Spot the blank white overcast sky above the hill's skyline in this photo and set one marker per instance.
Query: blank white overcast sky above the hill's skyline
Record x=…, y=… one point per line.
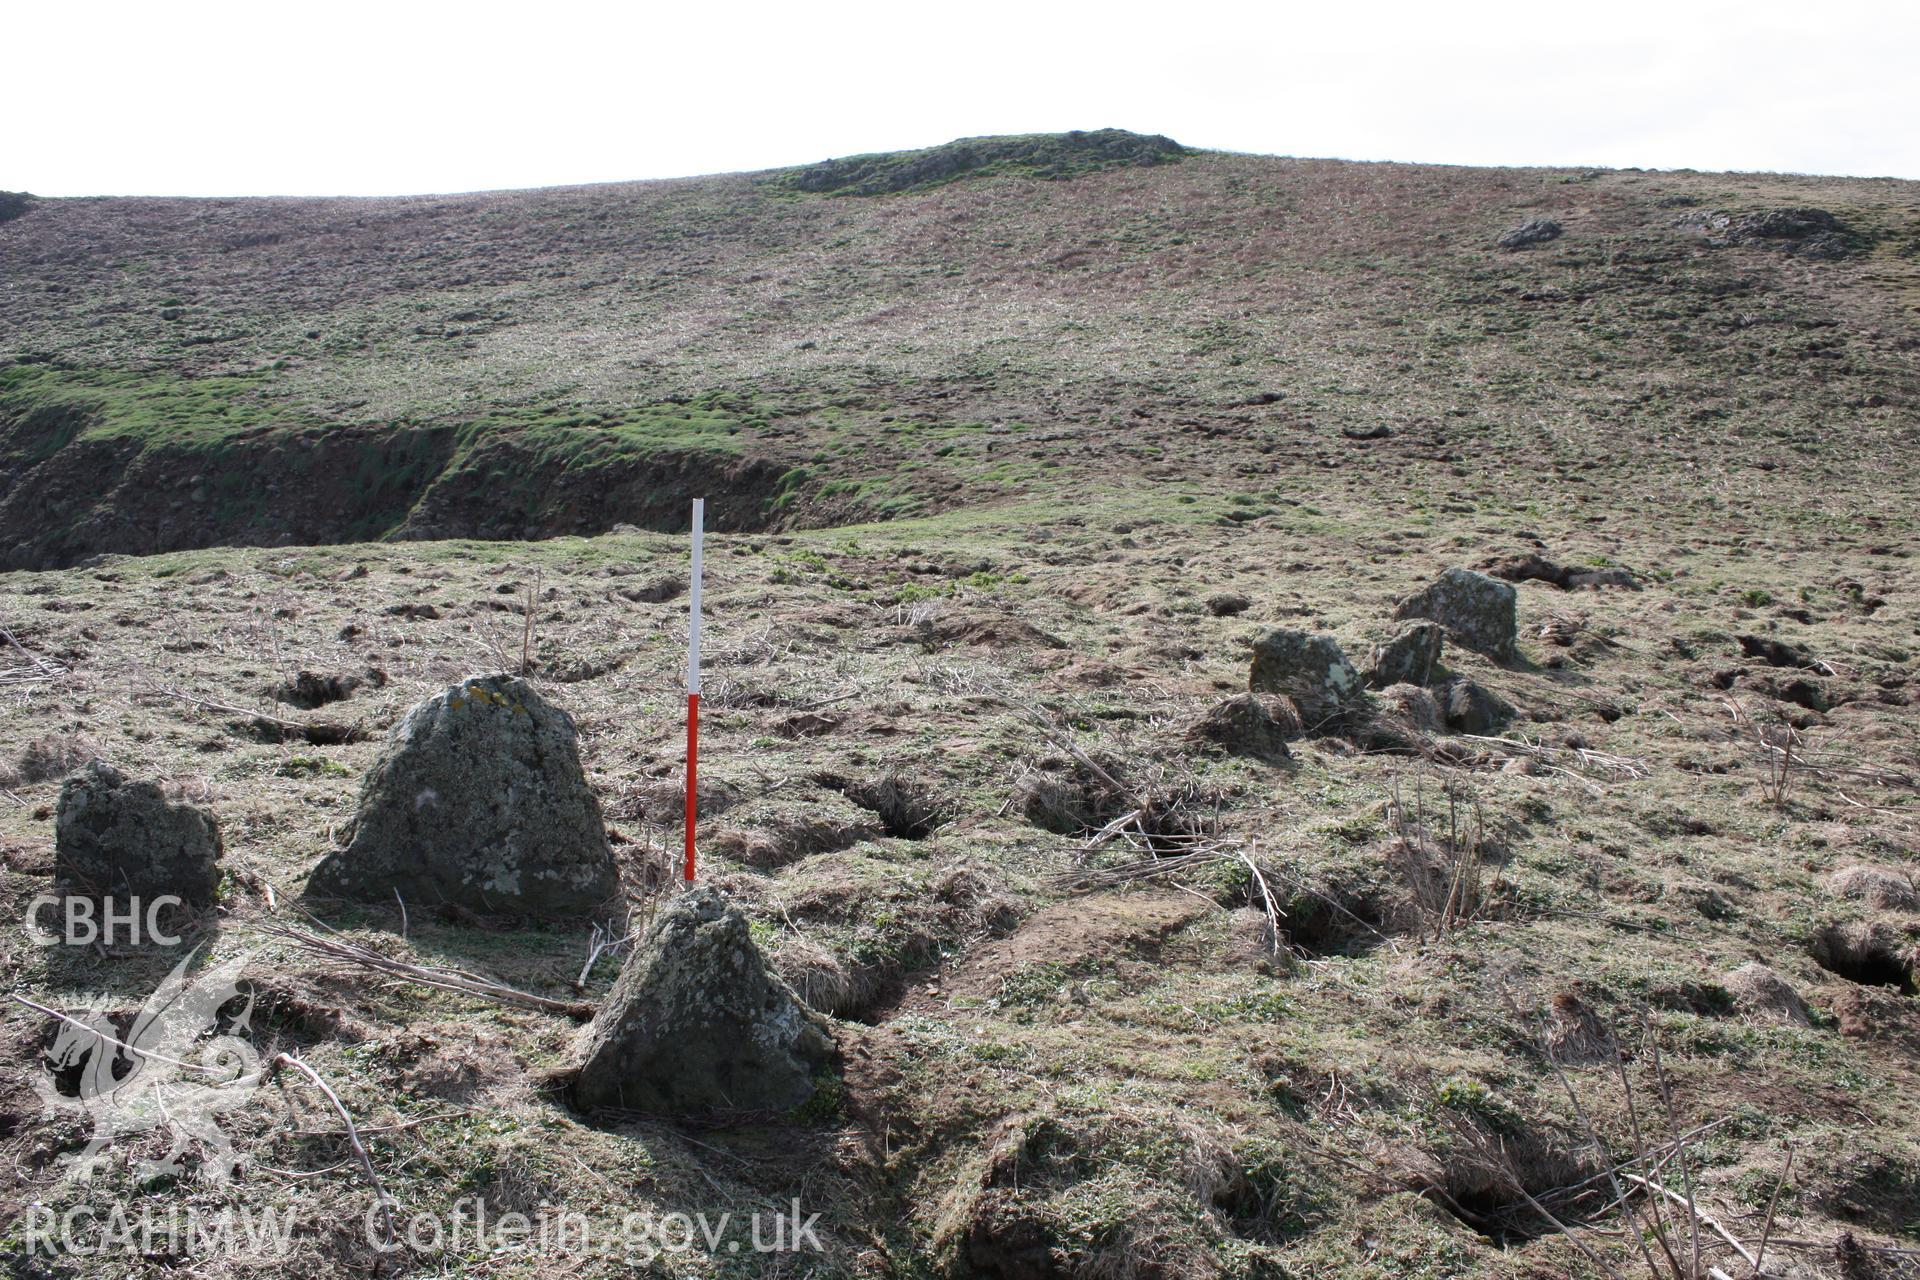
x=218, y=99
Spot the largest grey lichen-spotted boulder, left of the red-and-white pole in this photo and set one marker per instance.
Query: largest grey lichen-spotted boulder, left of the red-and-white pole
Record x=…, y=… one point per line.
x=479, y=801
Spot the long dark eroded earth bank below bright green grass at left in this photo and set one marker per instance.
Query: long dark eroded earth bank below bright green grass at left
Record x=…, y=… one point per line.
x=66, y=502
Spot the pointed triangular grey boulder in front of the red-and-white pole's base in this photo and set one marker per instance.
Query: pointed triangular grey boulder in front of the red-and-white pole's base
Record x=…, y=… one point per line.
x=700, y=1024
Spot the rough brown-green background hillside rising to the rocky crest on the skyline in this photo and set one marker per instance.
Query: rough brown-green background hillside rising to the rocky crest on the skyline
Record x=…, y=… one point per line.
x=1001, y=325
